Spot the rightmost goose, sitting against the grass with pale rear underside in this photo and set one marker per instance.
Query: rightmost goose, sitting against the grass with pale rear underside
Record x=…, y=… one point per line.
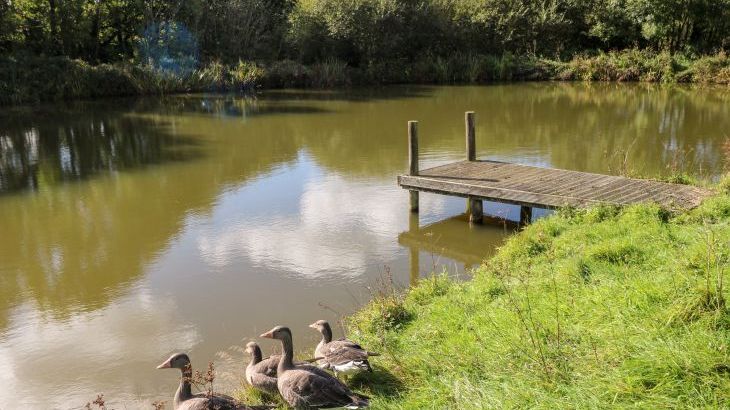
x=341, y=356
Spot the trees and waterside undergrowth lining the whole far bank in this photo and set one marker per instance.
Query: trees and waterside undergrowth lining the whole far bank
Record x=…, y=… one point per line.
x=52, y=49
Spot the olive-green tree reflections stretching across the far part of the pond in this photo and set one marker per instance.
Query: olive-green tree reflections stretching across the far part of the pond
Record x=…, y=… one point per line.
x=78, y=246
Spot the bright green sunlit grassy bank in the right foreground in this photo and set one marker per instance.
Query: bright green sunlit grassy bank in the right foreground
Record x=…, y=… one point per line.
x=585, y=309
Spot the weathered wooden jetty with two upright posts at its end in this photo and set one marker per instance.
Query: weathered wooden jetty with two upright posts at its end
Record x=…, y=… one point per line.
x=529, y=186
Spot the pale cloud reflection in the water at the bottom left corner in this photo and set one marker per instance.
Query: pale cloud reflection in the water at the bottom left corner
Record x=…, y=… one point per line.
x=91, y=353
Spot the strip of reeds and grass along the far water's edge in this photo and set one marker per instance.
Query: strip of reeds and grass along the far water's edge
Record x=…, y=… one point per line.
x=35, y=79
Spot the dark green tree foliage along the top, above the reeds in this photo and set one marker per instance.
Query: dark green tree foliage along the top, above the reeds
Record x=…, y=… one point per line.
x=357, y=32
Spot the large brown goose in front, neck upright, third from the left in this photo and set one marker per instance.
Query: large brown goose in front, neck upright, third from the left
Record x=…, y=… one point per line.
x=306, y=387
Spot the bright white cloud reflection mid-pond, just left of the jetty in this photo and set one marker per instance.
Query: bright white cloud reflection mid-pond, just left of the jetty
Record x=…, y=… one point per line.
x=342, y=227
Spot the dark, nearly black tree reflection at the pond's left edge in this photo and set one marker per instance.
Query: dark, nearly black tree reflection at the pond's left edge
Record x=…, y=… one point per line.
x=58, y=149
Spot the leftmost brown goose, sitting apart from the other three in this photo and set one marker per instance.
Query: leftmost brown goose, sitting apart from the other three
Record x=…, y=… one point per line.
x=184, y=398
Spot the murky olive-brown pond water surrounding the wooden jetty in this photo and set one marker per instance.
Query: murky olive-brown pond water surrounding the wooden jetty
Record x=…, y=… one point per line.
x=133, y=228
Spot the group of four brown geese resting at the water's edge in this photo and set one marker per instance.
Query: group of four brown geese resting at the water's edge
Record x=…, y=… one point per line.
x=302, y=385
